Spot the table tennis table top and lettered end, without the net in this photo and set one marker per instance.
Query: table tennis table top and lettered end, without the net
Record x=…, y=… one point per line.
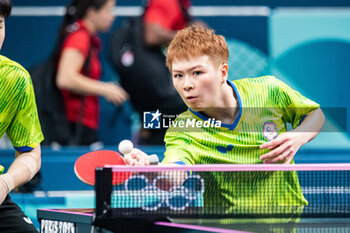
x=80, y=221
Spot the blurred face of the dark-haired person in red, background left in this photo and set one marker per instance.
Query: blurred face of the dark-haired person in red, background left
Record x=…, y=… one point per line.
x=104, y=16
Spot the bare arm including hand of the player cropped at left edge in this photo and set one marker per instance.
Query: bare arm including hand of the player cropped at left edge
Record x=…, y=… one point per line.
x=22, y=170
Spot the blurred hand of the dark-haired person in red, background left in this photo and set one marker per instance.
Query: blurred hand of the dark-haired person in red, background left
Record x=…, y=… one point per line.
x=115, y=94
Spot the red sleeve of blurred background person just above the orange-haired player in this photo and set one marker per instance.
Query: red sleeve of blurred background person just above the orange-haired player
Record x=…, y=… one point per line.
x=163, y=13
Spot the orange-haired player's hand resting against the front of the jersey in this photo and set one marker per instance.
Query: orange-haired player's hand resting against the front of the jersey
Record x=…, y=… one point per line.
x=283, y=148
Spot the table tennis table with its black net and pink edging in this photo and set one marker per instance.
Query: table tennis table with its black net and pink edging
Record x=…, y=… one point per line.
x=181, y=208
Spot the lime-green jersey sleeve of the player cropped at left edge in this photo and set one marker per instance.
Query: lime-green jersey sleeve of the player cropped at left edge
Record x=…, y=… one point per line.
x=24, y=129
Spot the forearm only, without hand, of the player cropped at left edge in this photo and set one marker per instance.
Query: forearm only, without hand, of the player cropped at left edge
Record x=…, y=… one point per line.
x=25, y=166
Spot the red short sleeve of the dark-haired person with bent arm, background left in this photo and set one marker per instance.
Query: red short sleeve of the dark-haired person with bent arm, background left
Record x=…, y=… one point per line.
x=79, y=40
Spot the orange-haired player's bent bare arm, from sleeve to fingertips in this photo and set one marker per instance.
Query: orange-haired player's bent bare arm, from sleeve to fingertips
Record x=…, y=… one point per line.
x=286, y=145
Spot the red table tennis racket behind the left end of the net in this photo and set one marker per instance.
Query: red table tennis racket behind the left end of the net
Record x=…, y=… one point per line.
x=86, y=164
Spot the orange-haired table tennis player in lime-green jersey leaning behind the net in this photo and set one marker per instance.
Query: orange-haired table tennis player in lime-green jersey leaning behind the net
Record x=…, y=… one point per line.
x=253, y=113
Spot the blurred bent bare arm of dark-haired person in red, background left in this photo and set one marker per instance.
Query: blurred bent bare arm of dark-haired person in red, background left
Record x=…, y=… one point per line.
x=70, y=78
